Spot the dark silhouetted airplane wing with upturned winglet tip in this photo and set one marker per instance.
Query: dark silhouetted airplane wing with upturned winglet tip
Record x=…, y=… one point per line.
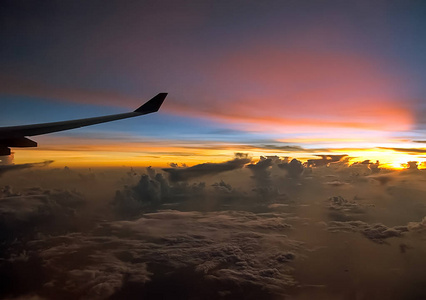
x=15, y=136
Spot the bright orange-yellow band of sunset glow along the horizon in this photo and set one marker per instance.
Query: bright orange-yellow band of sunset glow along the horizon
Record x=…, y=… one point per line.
x=144, y=155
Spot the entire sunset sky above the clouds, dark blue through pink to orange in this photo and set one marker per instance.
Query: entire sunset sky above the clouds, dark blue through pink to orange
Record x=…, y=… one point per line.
x=291, y=78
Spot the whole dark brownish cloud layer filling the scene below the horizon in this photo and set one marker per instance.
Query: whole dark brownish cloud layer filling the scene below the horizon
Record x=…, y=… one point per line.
x=256, y=230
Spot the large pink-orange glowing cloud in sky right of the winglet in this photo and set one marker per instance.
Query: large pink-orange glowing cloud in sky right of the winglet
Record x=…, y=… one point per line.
x=294, y=87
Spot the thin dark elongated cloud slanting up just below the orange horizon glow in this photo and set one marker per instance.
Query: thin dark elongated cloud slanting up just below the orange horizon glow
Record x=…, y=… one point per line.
x=183, y=174
